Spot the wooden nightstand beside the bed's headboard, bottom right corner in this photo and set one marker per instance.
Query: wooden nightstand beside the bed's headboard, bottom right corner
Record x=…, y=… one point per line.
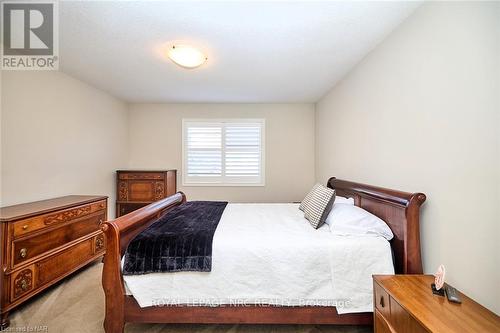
x=405, y=303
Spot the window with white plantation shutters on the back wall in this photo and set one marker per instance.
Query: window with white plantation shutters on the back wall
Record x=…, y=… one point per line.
x=223, y=152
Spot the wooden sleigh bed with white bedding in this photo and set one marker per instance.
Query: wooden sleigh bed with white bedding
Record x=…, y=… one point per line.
x=257, y=298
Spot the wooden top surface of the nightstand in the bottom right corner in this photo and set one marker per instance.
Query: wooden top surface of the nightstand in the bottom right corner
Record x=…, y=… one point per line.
x=436, y=313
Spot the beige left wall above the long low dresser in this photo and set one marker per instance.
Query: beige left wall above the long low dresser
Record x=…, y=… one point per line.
x=59, y=136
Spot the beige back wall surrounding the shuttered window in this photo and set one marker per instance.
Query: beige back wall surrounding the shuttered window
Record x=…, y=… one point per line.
x=155, y=135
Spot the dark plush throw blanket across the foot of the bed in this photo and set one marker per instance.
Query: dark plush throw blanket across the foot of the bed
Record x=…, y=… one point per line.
x=181, y=240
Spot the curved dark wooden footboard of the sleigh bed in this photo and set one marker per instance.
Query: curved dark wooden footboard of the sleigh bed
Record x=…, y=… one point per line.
x=119, y=233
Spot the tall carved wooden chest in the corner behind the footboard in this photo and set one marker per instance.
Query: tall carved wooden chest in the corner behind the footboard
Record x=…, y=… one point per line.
x=138, y=188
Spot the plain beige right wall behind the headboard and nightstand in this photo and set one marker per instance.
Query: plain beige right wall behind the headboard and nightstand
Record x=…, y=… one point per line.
x=421, y=113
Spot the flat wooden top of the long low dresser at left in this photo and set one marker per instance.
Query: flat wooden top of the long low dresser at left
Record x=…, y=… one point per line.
x=17, y=212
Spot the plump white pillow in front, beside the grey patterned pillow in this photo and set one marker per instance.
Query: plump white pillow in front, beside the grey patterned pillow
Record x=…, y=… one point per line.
x=350, y=220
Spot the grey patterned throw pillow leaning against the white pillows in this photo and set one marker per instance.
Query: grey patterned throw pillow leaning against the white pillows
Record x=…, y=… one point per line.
x=319, y=205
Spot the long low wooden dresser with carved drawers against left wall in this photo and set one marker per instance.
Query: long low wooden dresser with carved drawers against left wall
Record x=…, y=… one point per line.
x=44, y=241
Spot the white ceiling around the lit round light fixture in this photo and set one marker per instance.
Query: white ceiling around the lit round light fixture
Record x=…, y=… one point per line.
x=257, y=51
